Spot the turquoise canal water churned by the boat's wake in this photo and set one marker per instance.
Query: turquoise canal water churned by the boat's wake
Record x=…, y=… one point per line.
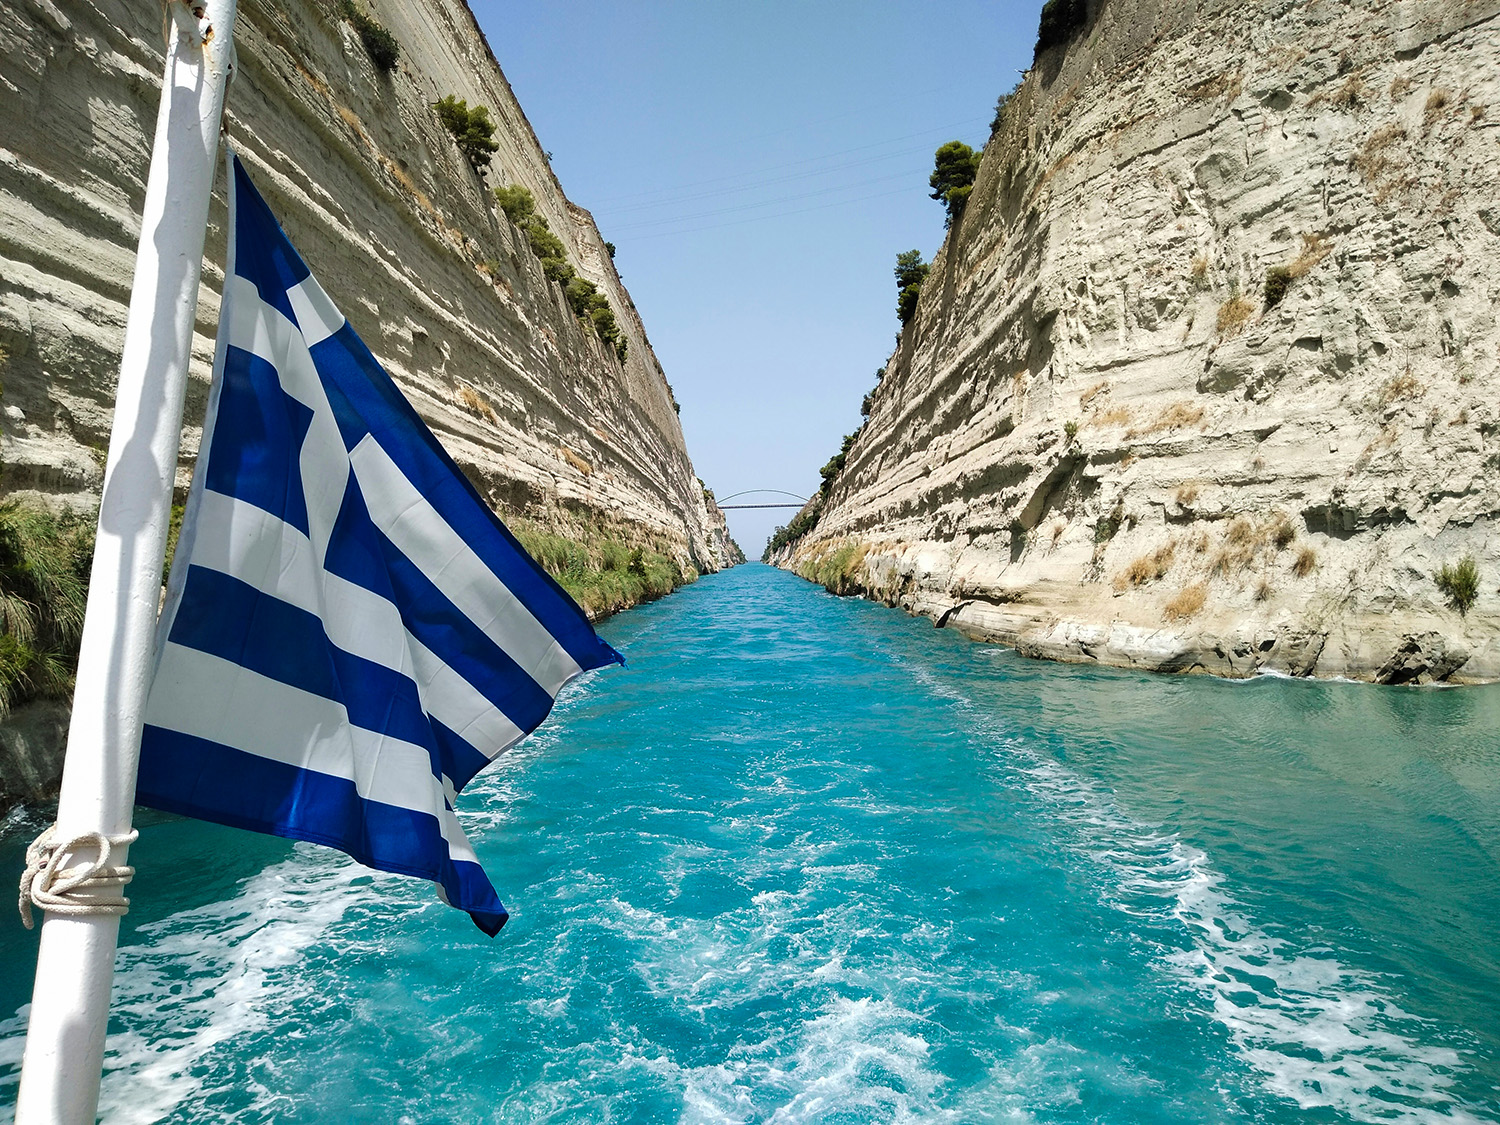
x=809, y=860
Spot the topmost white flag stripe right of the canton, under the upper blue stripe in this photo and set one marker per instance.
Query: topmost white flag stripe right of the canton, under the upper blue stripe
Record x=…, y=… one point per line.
x=451, y=565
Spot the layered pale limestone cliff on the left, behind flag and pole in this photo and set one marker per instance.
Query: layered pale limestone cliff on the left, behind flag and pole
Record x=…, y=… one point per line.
x=544, y=416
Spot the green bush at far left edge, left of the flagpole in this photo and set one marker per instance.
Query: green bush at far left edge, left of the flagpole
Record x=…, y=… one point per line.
x=44, y=584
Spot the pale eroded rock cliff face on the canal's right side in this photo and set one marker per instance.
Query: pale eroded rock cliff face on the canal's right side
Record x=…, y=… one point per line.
x=1208, y=377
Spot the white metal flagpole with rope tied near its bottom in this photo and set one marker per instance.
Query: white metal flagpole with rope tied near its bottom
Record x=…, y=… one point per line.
x=76, y=961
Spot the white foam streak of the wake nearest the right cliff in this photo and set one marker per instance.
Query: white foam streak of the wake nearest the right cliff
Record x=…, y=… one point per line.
x=1321, y=1034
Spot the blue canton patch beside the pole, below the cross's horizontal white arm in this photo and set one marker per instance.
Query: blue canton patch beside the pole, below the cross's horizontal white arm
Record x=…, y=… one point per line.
x=257, y=439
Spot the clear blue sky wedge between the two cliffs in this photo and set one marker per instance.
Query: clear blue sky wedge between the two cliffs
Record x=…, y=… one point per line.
x=760, y=166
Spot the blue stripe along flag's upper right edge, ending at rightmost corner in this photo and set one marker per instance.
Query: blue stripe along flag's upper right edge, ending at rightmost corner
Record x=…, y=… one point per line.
x=365, y=400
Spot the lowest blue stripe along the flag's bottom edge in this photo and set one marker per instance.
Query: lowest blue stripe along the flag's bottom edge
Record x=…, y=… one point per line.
x=196, y=778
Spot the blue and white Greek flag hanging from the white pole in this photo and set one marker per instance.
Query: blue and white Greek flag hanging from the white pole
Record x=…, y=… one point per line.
x=350, y=634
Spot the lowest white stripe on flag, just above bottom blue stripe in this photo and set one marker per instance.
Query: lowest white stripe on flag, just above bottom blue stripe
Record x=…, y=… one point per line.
x=224, y=703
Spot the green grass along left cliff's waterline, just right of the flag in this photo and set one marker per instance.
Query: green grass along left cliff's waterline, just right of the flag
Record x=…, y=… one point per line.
x=604, y=574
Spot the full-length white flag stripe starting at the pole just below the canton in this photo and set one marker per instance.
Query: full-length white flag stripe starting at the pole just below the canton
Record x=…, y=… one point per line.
x=257, y=548
